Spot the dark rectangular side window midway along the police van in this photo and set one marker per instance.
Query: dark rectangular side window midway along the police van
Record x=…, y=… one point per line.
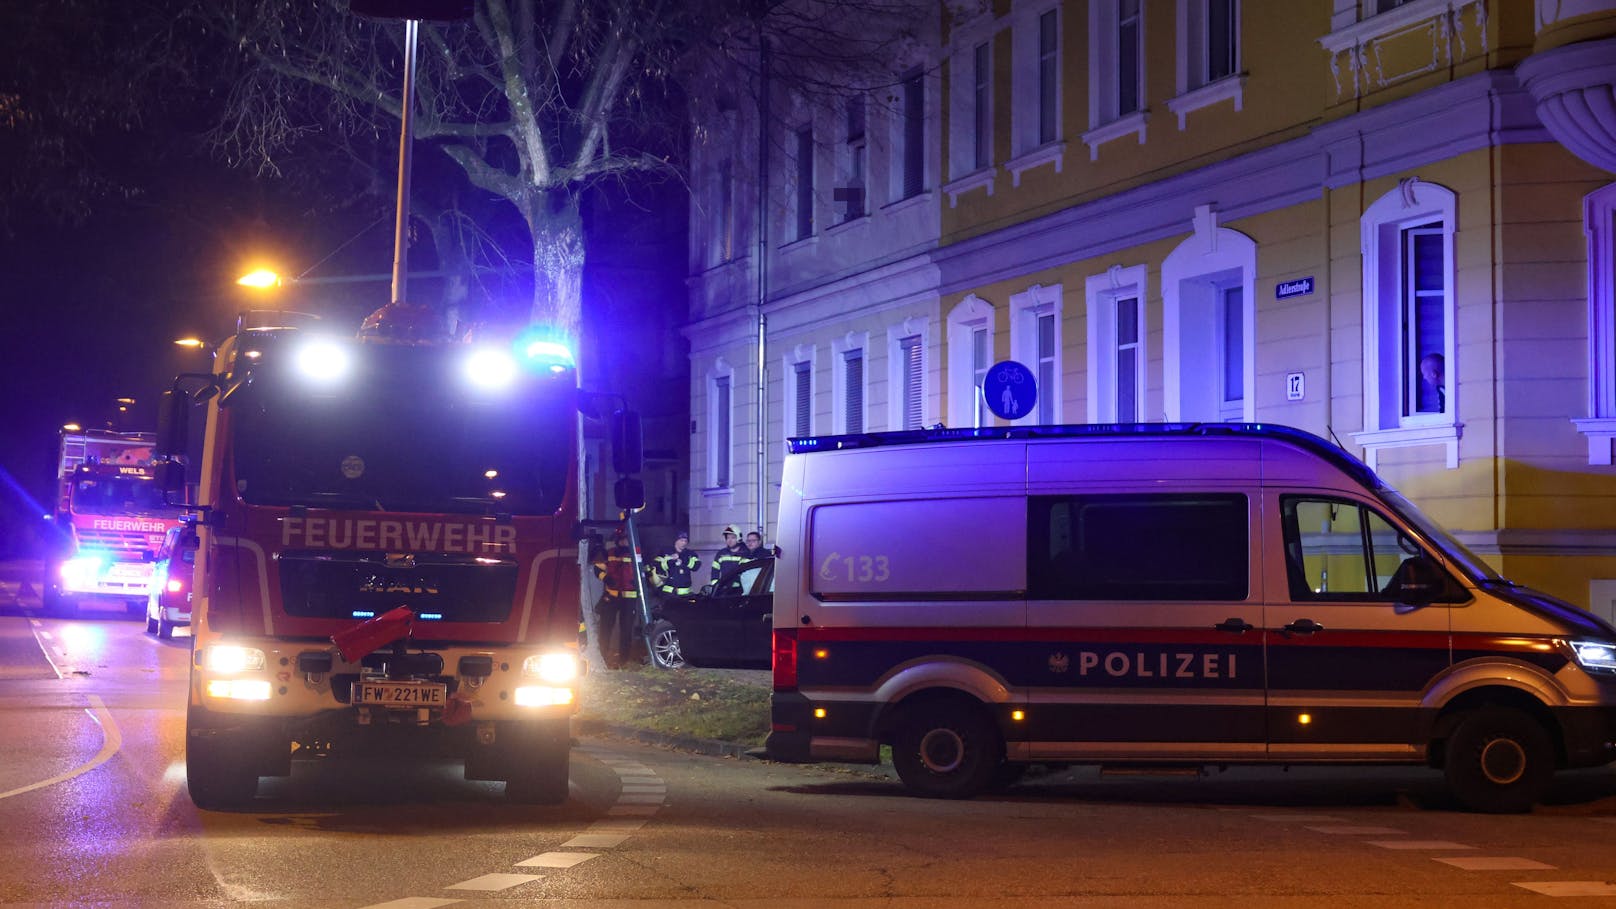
x=1138, y=548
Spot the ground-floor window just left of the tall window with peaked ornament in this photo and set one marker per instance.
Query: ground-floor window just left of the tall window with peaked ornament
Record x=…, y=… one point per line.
x=1117, y=358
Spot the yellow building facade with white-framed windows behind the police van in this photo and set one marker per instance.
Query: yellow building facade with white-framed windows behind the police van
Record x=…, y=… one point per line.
x=1384, y=222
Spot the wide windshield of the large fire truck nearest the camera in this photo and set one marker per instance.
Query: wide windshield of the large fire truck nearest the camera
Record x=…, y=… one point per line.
x=408, y=439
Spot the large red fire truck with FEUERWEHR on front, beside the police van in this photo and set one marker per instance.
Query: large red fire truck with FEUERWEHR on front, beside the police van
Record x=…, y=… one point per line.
x=389, y=554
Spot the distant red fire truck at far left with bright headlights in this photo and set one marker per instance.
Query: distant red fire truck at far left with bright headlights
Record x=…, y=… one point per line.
x=111, y=520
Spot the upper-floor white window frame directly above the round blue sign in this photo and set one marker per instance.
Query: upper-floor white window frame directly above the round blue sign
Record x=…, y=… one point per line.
x=1027, y=148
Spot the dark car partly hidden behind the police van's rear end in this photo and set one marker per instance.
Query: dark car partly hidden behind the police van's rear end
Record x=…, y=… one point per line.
x=730, y=624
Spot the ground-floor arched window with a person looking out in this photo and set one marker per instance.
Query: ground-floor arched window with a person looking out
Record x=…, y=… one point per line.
x=1410, y=368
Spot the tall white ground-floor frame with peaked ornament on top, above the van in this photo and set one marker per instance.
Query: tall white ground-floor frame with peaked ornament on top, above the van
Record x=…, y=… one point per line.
x=1195, y=273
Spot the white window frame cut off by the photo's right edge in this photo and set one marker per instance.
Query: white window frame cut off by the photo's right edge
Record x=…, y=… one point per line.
x=1599, y=224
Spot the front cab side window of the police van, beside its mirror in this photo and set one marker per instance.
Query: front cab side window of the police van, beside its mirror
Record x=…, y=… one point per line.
x=1340, y=551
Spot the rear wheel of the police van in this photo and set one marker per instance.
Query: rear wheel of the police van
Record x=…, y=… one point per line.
x=946, y=750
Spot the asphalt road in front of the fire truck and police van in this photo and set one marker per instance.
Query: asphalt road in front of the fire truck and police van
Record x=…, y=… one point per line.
x=93, y=813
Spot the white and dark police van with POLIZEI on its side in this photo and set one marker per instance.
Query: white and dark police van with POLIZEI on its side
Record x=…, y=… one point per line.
x=1158, y=596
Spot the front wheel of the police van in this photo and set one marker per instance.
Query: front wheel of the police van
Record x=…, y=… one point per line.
x=1499, y=761
